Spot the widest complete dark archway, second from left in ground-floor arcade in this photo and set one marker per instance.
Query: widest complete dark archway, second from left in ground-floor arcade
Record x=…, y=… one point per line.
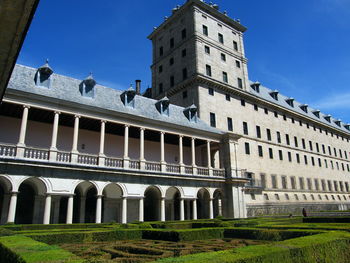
x=31, y=200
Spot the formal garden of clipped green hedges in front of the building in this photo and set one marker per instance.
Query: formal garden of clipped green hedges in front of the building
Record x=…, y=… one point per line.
x=282, y=239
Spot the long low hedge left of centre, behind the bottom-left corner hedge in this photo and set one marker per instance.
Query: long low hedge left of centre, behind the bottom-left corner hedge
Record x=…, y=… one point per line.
x=83, y=237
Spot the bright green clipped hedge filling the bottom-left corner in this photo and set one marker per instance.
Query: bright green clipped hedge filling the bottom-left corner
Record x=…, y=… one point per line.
x=21, y=249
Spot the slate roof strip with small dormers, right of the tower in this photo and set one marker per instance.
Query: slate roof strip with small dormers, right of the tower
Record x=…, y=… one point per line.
x=265, y=94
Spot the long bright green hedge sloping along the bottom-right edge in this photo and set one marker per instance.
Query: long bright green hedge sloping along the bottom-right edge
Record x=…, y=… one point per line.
x=331, y=247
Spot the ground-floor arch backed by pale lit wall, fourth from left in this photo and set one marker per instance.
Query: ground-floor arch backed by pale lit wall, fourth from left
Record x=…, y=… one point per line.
x=112, y=202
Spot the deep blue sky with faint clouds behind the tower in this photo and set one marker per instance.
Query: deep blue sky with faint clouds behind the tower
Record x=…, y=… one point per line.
x=300, y=47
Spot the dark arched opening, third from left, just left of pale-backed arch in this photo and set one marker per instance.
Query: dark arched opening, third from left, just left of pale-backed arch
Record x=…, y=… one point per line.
x=84, y=206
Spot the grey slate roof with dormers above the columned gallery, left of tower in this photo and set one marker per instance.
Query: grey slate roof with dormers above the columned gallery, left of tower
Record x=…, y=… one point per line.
x=67, y=89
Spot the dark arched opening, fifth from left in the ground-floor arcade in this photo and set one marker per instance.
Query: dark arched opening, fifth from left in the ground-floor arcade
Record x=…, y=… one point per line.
x=153, y=195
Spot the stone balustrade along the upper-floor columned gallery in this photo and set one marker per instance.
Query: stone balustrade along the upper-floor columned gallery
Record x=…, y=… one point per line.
x=30, y=153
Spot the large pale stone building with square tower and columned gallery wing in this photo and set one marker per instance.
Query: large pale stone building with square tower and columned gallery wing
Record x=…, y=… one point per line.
x=208, y=142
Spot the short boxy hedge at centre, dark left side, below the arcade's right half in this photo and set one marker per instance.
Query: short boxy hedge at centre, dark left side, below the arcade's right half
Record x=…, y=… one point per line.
x=183, y=235
